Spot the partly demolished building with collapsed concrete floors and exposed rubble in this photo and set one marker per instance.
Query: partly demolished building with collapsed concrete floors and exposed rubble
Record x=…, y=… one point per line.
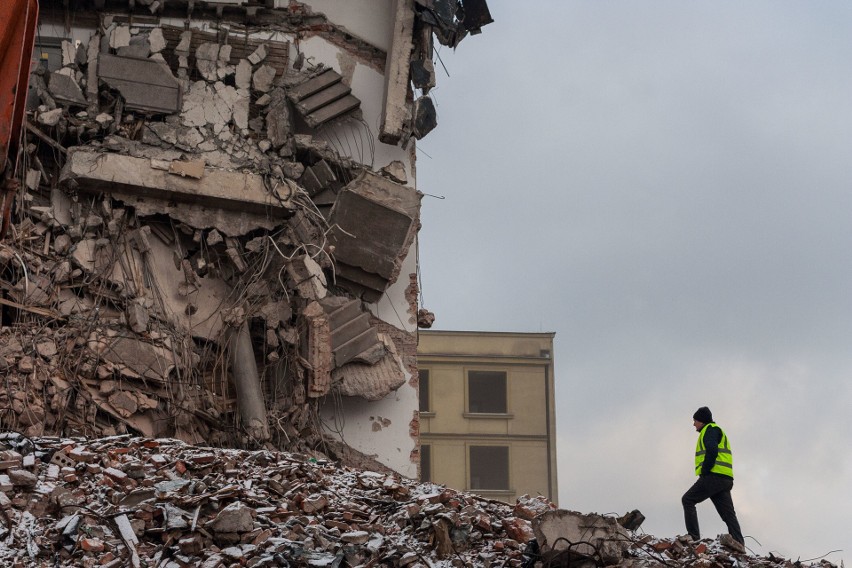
x=214, y=237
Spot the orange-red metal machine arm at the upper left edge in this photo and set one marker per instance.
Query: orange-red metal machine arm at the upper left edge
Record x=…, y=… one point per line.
x=18, y=21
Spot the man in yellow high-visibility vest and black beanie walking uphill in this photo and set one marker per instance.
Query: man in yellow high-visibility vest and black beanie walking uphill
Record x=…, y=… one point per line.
x=714, y=466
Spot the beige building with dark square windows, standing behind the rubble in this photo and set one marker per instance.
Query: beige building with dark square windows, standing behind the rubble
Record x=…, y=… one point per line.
x=487, y=413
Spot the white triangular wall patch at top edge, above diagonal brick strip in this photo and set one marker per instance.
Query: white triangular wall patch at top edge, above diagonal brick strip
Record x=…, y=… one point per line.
x=369, y=20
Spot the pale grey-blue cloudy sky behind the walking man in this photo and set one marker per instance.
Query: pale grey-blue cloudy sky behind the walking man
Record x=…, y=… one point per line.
x=667, y=186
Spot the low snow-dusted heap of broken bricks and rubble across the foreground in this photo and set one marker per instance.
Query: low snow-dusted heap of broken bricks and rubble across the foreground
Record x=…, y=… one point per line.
x=124, y=501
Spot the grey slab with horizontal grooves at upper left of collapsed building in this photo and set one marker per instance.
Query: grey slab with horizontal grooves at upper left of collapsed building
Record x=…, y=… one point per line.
x=145, y=84
